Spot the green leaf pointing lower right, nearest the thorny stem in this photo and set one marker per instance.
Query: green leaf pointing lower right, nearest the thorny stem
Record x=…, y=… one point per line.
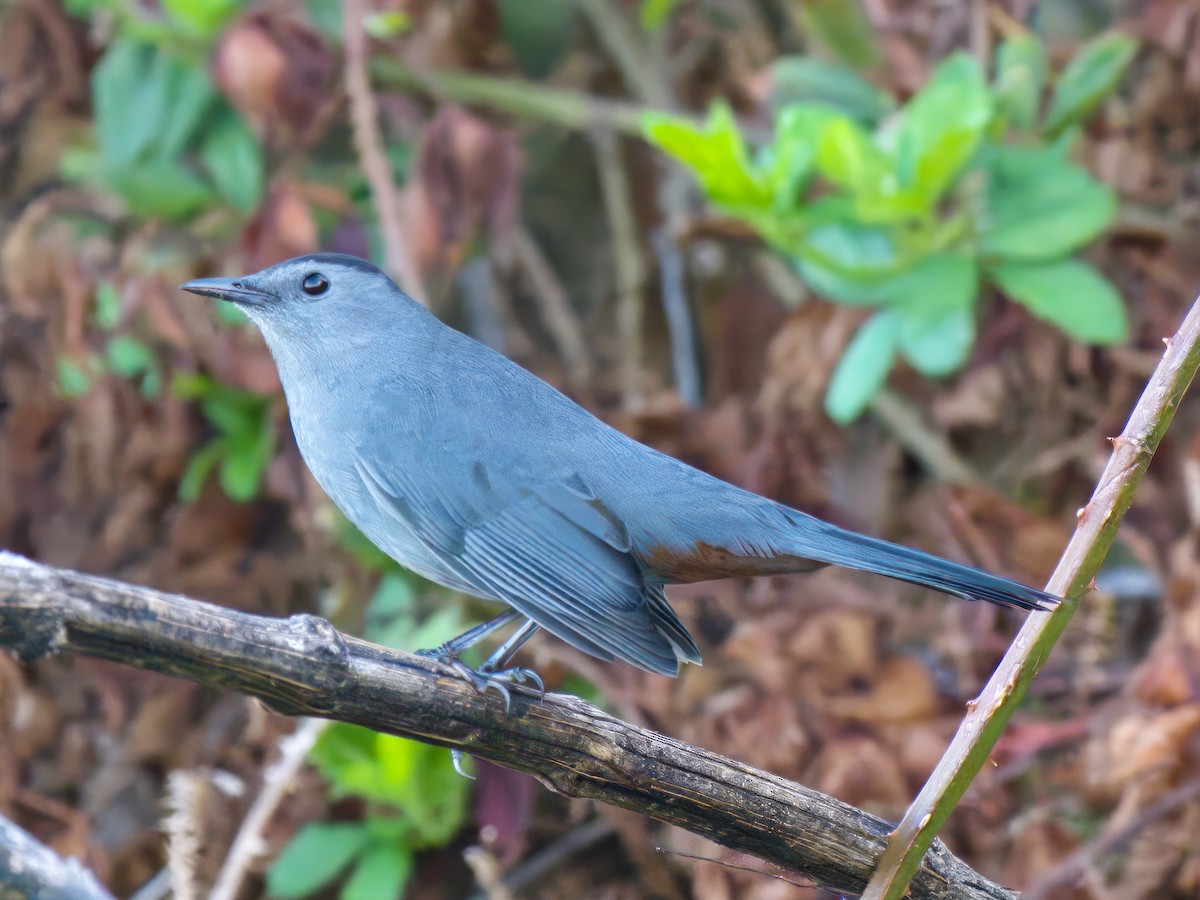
x=1070, y=295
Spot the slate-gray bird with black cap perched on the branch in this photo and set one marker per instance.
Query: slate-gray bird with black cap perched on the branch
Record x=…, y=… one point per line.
x=472, y=472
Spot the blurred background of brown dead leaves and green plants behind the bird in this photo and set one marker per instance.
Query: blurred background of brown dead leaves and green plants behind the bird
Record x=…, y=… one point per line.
x=902, y=263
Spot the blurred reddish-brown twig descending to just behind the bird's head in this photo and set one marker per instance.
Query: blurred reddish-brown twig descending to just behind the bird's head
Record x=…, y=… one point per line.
x=369, y=140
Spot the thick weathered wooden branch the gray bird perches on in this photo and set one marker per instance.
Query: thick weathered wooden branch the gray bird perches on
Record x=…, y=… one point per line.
x=303, y=667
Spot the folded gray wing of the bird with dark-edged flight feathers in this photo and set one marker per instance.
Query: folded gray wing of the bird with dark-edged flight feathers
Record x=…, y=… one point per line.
x=555, y=555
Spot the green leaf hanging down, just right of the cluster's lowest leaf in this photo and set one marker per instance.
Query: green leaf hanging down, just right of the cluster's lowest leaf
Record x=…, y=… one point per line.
x=935, y=303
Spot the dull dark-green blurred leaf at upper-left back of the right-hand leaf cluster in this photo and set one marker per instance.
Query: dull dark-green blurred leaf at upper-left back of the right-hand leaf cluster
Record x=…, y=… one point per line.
x=812, y=81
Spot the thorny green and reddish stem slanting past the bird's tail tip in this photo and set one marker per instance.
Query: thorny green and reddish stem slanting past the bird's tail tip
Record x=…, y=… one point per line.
x=1097, y=527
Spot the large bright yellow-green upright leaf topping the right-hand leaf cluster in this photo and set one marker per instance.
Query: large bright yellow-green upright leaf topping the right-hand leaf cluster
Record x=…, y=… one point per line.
x=940, y=129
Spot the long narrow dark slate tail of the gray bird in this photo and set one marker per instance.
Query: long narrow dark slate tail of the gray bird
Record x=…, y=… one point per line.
x=829, y=544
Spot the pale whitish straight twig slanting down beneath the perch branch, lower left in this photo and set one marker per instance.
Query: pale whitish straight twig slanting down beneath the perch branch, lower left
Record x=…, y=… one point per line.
x=279, y=779
